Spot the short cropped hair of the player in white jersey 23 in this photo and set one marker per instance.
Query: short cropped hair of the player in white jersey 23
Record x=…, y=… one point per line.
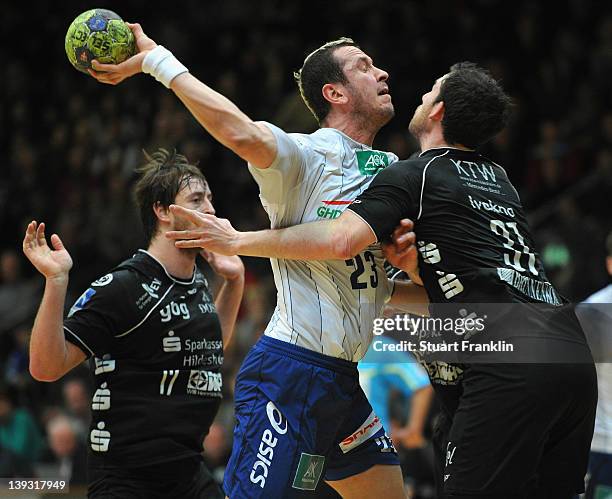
x=321, y=67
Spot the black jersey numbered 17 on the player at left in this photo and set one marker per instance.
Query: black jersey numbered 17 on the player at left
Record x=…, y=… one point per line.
x=156, y=352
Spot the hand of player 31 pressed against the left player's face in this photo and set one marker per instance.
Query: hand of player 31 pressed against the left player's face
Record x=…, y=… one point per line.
x=212, y=233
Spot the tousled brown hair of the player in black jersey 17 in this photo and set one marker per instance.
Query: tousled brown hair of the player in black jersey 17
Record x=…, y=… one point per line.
x=162, y=177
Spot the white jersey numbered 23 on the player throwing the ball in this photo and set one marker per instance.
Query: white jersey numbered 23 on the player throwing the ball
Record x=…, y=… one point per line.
x=325, y=306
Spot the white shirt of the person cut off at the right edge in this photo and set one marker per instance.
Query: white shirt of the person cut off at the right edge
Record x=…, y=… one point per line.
x=602, y=436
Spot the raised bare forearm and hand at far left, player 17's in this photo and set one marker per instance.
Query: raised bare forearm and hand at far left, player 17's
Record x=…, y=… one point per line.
x=51, y=356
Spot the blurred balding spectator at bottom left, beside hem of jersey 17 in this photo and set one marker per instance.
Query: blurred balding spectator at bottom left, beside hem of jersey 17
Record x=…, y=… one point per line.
x=69, y=450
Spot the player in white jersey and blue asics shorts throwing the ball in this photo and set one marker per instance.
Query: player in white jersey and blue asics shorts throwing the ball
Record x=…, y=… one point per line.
x=301, y=414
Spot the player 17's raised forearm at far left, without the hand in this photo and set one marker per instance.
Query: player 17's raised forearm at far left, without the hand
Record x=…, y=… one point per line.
x=47, y=344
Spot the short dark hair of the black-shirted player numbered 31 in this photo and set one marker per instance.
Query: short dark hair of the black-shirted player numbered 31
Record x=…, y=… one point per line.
x=476, y=107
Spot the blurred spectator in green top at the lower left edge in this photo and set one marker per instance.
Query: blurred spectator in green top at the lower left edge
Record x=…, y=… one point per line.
x=18, y=431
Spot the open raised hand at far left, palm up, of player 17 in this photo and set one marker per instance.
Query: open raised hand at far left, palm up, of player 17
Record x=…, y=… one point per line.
x=52, y=263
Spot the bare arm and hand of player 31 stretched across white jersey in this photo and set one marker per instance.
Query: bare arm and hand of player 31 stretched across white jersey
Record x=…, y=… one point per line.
x=337, y=239
